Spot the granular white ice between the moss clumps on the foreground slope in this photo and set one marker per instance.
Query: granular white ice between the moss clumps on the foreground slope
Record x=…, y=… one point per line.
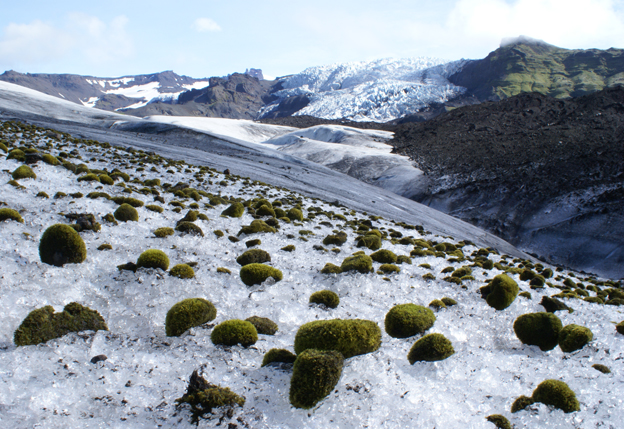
x=55, y=385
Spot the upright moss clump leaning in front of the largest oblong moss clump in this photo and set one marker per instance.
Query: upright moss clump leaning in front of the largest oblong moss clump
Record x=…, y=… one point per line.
x=315, y=374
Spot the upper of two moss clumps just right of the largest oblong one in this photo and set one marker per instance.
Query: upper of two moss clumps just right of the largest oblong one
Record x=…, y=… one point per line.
x=407, y=320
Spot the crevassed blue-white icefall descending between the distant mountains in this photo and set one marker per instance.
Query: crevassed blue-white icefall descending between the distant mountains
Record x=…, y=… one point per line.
x=379, y=90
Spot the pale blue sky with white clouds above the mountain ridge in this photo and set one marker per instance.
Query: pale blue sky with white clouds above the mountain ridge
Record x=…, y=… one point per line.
x=215, y=37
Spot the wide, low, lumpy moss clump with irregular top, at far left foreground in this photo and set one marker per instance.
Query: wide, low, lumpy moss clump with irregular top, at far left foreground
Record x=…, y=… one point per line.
x=43, y=324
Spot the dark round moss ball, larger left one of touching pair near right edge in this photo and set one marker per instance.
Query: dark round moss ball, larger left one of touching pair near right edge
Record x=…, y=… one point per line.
x=538, y=329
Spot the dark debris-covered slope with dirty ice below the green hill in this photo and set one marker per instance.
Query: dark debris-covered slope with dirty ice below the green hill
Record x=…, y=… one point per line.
x=545, y=174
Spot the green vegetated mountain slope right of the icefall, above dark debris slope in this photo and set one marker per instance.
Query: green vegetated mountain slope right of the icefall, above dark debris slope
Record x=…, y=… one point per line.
x=540, y=67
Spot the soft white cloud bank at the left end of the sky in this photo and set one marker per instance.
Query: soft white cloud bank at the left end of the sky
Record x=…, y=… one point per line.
x=82, y=38
